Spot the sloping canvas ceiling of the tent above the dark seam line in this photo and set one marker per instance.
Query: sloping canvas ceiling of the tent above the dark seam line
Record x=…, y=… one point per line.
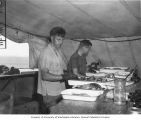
x=80, y=18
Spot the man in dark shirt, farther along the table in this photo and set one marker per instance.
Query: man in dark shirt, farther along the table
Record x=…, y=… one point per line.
x=78, y=64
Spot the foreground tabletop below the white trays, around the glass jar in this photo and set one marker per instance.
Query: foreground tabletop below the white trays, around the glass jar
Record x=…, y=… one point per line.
x=100, y=106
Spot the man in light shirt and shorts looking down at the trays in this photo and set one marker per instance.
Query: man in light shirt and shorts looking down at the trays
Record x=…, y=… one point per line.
x=51, y=66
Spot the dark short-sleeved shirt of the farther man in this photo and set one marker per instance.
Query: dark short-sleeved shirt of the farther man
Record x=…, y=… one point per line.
x=79, y=62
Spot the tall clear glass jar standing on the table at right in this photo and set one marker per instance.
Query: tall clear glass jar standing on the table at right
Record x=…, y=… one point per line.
x=120, y=91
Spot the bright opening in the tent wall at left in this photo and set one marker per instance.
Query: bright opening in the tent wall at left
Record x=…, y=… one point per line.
x=16, y=55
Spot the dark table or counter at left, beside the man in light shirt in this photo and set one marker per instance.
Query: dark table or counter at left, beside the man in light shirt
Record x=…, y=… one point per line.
x=23, y=103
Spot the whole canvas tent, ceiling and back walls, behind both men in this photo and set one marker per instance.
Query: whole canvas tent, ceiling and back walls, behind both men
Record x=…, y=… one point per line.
x=113, y=26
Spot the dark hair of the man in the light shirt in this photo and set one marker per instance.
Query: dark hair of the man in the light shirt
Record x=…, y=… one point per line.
x=58, y=31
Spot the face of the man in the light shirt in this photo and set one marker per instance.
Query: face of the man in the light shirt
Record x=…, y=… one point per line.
x=57, y=41
